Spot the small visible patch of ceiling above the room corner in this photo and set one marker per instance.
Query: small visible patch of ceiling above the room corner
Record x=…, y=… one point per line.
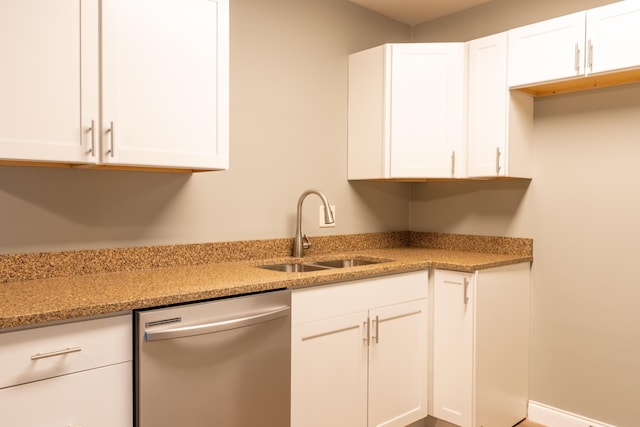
x=414, y=12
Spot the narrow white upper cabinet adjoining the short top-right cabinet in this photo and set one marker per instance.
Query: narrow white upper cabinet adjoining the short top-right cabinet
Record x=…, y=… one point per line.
x=499, y=121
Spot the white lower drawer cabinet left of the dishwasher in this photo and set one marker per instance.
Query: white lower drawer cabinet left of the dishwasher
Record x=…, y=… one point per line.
x=73, y=374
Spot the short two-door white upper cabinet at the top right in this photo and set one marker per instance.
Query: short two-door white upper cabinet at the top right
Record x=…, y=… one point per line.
x=597, y=41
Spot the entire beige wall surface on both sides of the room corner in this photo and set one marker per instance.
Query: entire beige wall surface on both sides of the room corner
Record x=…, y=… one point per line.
x=288, y=133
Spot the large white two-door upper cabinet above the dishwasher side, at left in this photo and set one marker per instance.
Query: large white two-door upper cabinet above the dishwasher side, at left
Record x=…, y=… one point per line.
x=115, y=83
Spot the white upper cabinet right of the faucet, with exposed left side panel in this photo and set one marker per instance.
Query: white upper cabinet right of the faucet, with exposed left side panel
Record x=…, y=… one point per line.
x=406, y=111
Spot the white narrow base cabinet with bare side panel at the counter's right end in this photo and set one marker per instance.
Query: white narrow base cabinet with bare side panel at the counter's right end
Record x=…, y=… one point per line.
x=481, y=346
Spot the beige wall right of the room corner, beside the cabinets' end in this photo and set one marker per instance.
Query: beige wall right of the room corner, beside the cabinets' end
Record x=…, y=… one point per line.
x=582, y=209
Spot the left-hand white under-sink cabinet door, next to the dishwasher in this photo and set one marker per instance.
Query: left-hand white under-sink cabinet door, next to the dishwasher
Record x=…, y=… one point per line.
x=329, y=372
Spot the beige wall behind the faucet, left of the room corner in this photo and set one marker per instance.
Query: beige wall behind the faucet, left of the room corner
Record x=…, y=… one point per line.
x=288, y=133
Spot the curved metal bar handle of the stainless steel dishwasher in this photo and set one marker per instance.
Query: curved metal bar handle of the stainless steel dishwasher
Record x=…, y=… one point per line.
x=224, y=325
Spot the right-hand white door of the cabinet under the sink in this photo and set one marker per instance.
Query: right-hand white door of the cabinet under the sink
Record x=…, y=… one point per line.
x=398, y=364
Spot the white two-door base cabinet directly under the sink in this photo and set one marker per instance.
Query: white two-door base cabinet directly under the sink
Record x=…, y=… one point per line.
x=359, y=353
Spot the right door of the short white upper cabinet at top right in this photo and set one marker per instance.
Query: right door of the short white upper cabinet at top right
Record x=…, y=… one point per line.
x=613, y=37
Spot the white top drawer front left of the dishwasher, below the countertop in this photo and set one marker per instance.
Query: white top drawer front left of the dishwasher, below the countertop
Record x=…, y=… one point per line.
x=39, y=353
